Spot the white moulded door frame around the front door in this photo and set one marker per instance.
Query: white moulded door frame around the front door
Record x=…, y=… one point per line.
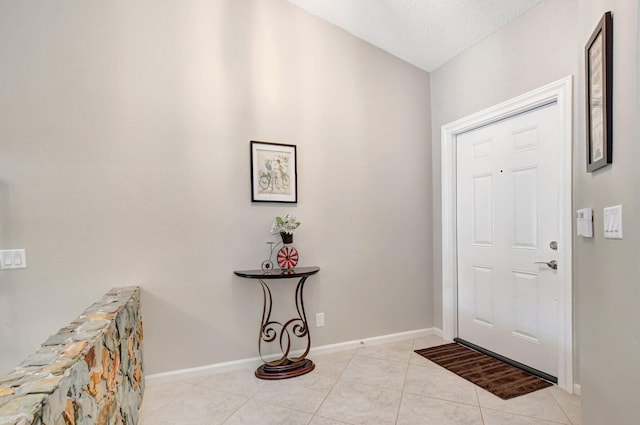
x=560, y=91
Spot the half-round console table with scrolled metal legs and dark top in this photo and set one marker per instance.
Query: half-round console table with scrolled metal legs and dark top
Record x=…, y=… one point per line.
x=270, y=330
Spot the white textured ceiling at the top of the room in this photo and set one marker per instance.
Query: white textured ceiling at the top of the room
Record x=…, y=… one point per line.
x=425, y=33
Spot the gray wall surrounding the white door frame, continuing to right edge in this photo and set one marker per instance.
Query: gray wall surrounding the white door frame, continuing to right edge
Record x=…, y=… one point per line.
x=542, y=46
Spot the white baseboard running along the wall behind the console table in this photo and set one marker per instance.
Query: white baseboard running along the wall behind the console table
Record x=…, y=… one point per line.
x=254, y=362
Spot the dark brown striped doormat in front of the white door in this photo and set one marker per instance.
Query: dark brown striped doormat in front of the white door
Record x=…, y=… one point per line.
x=499, y=378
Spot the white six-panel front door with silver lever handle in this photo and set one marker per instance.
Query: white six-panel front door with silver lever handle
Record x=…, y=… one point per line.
x=508, y=215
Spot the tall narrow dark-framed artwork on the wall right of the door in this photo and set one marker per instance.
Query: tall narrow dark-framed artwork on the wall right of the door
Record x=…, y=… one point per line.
x=599, y=82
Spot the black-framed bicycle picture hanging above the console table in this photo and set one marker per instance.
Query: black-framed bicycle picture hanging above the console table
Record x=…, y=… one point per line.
x=274, y=176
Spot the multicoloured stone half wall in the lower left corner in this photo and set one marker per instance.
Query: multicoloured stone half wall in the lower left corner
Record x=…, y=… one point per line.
x=90, y=372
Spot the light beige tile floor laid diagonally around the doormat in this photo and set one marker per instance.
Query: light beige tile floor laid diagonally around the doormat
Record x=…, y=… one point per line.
x=373, y=385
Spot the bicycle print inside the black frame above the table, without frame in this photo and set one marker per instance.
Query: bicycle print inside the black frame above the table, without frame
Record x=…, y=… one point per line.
x=273, y=172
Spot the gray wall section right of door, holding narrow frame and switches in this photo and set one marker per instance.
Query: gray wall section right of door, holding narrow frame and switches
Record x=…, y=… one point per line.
x=606, y=271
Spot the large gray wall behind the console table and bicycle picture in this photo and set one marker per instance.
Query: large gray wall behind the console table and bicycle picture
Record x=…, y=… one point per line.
x=124, y=160
